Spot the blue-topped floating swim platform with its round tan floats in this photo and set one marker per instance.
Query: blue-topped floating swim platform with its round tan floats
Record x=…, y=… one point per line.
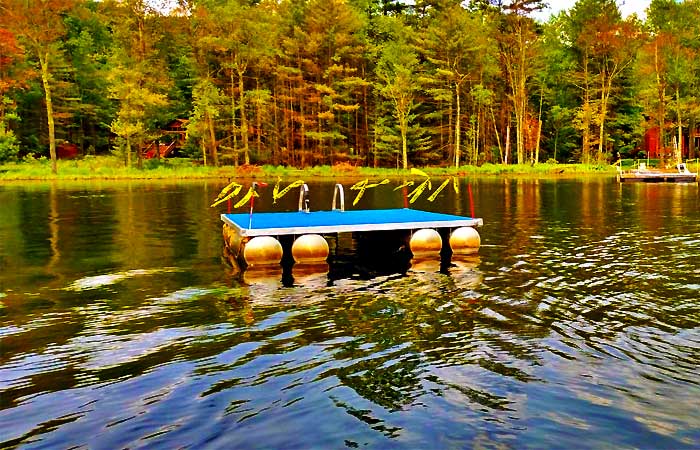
x=264, y=239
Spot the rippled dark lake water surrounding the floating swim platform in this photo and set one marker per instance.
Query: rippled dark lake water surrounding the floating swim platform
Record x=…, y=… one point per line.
x=576, y=326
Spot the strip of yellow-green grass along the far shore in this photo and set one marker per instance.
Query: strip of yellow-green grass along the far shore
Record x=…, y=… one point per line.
x=110, y=168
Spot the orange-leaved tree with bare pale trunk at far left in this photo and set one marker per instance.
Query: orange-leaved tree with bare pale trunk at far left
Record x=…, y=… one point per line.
x=39, y=24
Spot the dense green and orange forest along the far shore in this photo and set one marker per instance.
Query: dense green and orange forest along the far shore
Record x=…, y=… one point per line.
x=372, y=83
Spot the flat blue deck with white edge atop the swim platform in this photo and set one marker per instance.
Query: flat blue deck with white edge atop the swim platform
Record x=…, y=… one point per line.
x=279, y=223
